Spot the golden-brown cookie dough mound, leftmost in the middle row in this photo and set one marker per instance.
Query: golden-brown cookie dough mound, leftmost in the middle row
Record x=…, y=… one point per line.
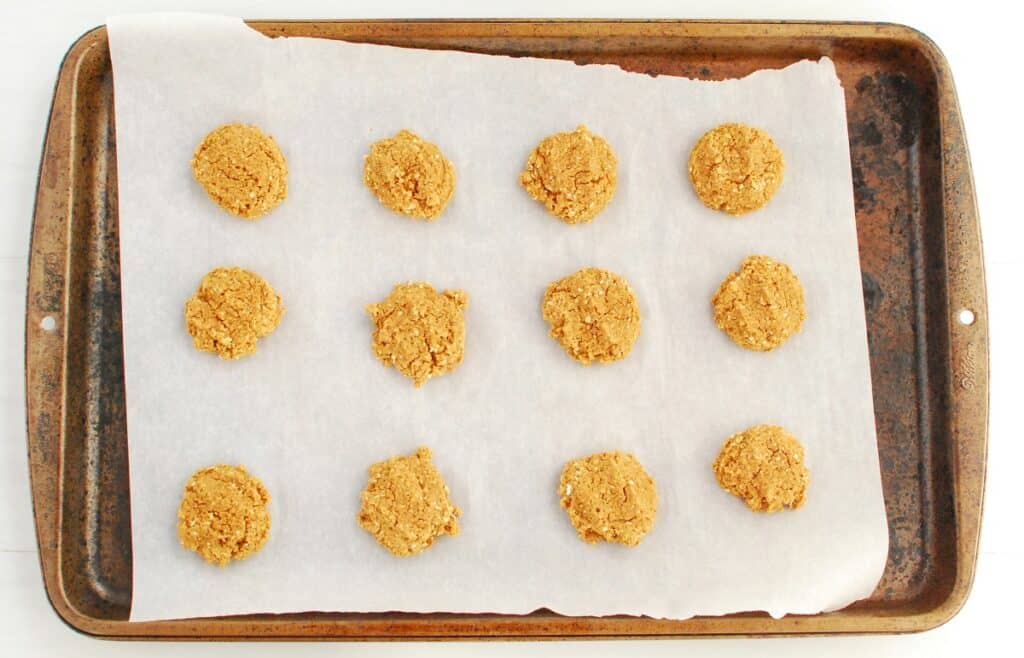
x=232, y=310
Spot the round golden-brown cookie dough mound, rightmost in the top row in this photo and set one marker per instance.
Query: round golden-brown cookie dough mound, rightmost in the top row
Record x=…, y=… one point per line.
x=736, y=168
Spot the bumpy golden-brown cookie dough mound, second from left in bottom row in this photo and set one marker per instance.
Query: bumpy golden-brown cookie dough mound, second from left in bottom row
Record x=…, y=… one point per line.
x=406, y=505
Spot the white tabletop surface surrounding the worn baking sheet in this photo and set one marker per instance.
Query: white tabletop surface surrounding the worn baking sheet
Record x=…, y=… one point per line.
x=980, y=41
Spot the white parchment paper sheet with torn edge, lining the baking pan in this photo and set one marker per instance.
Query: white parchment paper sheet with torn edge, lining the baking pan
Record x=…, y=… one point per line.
x=313, y=409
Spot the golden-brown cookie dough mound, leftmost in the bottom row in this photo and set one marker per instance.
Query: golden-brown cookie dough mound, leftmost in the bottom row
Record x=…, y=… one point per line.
x=224, y=514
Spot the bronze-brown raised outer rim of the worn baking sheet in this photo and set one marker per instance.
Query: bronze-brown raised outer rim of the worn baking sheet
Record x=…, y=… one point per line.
x=968, y=365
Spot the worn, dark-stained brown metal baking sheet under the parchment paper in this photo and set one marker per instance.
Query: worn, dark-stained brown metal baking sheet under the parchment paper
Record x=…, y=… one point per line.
x=920, y=253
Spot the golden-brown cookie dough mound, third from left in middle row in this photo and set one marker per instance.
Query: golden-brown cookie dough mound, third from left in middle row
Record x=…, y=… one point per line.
x=594, y=315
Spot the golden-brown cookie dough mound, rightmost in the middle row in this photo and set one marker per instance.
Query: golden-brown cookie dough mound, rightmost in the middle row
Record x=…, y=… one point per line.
x=762, y=305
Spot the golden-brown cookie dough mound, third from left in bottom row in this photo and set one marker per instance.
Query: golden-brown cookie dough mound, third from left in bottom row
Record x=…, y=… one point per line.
x=609, y=497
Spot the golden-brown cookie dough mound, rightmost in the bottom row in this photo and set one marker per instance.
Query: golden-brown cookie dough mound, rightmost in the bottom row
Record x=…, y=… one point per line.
x=764, y=466
